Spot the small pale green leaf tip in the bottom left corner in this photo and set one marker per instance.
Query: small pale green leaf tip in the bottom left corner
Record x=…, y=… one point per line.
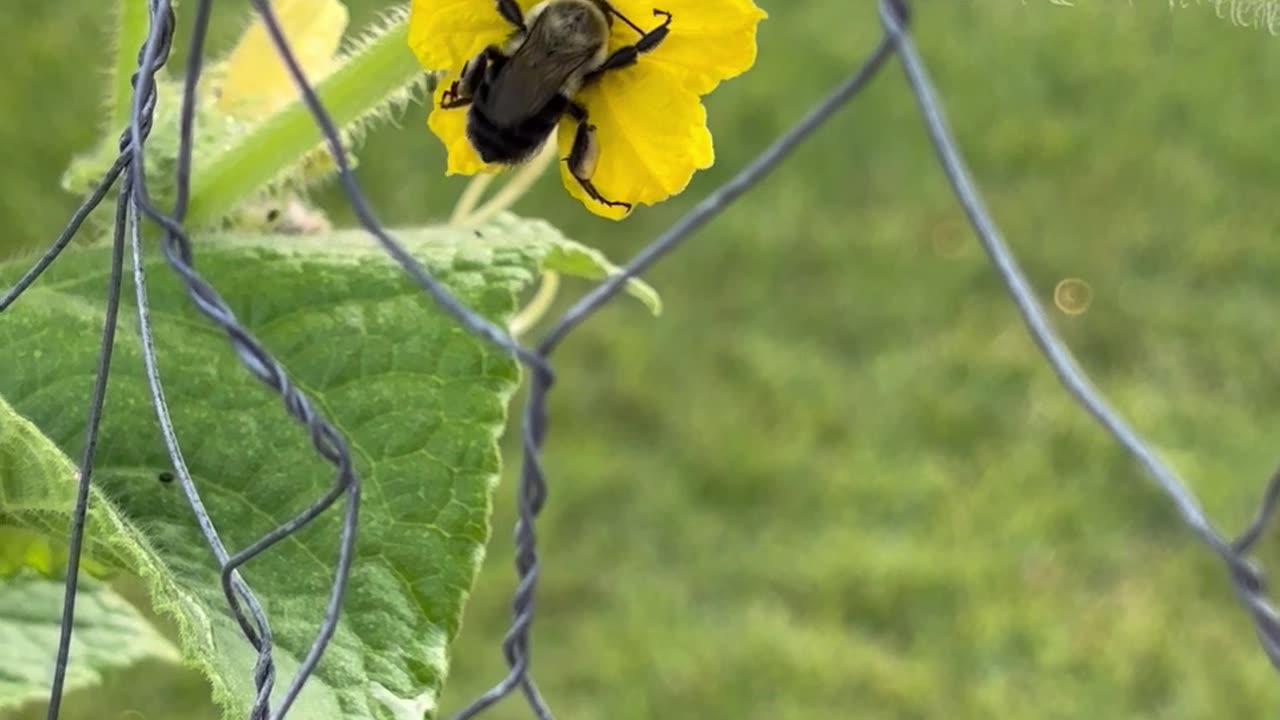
x=109, y=635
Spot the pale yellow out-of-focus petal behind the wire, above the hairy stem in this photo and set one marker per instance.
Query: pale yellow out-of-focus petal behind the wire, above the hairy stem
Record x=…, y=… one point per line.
x=257, y=81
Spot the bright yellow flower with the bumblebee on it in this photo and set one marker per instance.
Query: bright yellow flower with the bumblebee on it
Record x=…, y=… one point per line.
x=650, y=119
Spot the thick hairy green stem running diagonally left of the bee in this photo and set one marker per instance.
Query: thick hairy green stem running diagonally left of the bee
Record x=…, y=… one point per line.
x=367, y=81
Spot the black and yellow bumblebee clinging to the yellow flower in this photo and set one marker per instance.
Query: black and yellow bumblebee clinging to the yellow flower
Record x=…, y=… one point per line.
x=518, y=94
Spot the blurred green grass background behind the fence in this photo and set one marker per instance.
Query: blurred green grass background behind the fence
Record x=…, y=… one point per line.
x=835, y=480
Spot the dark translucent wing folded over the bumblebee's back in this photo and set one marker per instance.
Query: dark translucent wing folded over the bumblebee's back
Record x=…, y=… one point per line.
x=529, y=80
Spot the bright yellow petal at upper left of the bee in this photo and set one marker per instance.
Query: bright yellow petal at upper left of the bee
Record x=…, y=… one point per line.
x=446, y=34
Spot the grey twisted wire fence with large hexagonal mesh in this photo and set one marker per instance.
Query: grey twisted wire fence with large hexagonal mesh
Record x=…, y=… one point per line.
x=135, y=204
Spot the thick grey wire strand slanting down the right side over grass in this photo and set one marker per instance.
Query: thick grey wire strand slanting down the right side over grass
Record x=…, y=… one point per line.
x=1246, y=580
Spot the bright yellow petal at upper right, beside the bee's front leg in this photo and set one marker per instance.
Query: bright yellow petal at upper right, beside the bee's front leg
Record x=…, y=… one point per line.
x=710, y=40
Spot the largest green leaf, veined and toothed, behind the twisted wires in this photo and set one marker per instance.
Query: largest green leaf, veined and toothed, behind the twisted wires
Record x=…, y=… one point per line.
x=422, y=403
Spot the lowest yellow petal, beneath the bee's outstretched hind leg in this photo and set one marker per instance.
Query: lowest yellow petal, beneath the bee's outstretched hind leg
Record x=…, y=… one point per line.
x=652, y=135
